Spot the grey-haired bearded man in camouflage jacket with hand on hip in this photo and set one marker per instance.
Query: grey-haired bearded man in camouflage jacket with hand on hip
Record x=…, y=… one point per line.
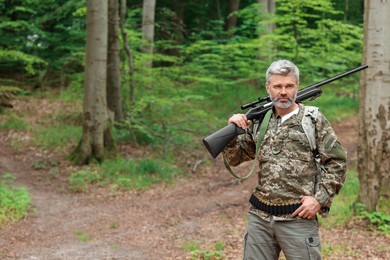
x=285, y=202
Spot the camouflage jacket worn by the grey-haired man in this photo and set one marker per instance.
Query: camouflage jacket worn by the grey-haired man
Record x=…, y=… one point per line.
x=287, y=167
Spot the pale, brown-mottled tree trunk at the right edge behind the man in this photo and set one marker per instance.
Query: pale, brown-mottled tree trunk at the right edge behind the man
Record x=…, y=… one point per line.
x=374, y=113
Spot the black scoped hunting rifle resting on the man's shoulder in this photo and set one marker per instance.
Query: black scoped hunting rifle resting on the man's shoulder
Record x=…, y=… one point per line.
x=217, y=141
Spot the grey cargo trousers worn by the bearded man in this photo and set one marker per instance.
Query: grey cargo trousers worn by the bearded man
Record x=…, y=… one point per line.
x=298, y=239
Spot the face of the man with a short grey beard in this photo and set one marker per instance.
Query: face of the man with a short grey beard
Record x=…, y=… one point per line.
x=282, y=90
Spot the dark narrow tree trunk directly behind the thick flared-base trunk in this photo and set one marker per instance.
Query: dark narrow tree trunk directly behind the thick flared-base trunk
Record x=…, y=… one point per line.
x=114, y=97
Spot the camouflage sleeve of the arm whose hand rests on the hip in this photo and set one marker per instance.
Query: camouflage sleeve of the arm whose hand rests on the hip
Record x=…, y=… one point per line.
x=333, y=159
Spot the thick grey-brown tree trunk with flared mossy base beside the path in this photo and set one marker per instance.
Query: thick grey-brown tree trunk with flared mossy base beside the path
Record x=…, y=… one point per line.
x=96, y=124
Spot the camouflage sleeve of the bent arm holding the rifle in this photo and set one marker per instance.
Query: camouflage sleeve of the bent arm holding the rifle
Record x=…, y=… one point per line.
x=242, y=148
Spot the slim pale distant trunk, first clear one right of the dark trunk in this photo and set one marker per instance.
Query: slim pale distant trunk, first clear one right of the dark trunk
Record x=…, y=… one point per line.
x=148, y=28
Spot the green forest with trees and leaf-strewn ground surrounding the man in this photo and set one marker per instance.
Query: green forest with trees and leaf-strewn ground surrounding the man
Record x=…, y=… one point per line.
x=104, y=105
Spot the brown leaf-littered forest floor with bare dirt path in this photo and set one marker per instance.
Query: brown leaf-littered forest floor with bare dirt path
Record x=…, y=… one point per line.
x=197, y=211
